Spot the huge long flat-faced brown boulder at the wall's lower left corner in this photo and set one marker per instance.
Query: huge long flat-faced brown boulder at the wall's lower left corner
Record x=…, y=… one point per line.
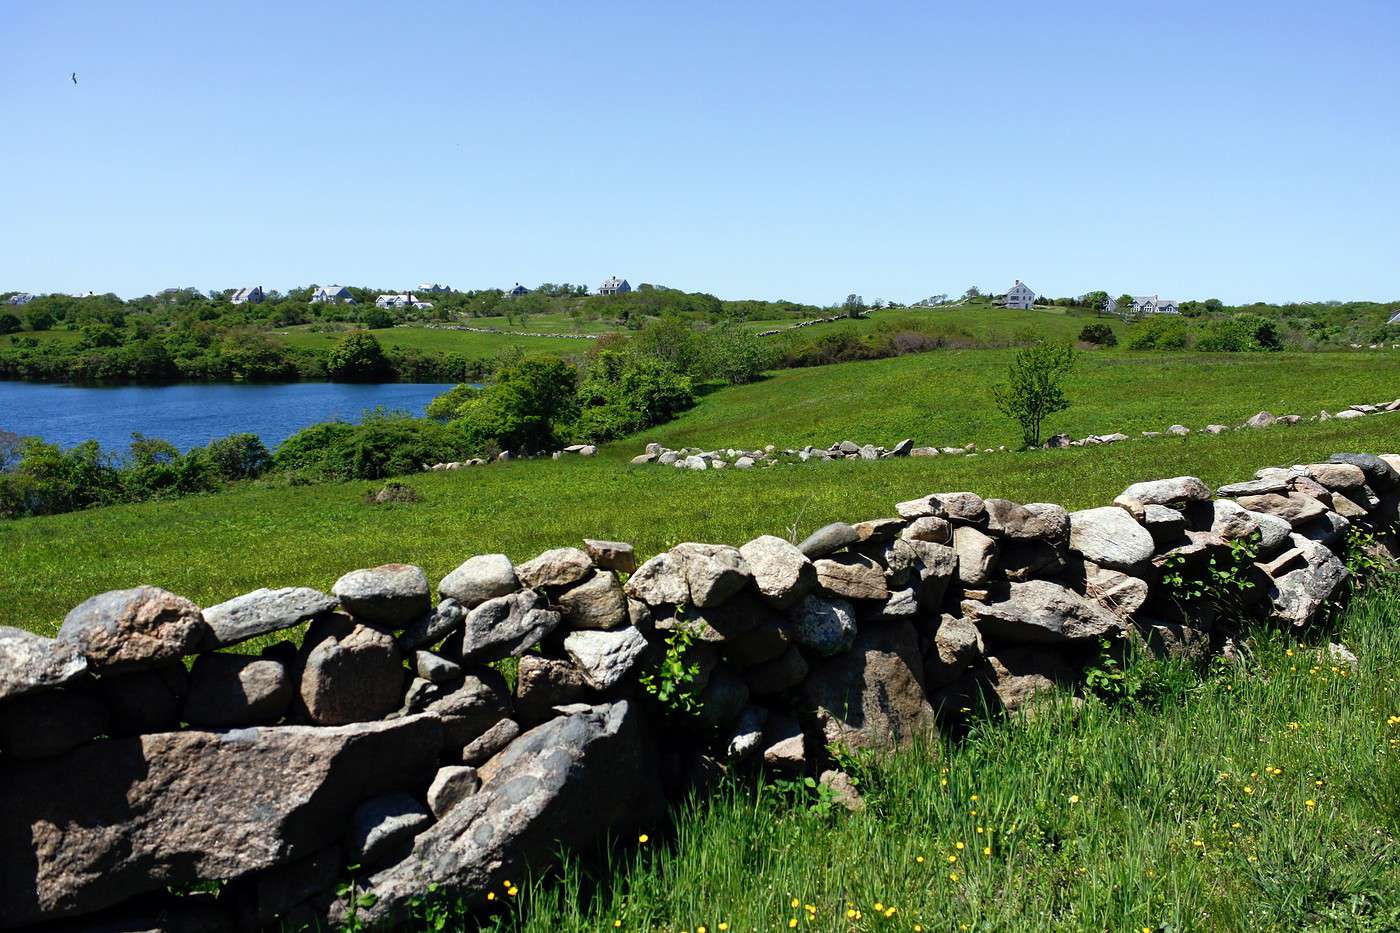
x=117, y=819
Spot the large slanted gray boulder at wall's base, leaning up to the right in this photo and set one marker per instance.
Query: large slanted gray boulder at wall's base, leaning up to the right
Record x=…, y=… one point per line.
x=559, y=787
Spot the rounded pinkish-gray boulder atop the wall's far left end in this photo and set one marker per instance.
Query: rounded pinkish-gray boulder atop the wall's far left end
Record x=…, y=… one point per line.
x=134, y=630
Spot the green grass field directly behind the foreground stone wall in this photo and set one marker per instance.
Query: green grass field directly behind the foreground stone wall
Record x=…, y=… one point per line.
x=216, y=547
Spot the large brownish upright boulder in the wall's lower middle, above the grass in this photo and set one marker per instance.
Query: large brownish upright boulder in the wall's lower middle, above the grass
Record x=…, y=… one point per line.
x=873, y=697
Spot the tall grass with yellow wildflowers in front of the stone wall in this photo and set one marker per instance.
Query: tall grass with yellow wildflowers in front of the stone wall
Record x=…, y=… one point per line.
x=1261, y=794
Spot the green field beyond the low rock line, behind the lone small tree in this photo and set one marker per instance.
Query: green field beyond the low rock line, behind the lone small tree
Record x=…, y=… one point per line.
x=944, y=397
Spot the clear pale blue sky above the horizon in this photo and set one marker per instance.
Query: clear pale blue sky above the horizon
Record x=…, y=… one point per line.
x=1241, y=149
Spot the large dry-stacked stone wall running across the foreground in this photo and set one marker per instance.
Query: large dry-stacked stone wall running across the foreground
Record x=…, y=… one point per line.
x=141, y=761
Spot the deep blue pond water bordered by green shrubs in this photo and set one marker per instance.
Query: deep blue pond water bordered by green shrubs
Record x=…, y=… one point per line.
x=192, y=415
